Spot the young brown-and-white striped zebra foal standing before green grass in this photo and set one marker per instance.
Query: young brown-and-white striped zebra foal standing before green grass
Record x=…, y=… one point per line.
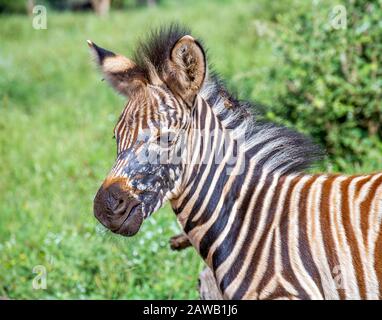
x=265, y=227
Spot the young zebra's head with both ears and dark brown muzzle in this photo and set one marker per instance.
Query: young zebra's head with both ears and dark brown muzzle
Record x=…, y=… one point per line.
x=152, y=129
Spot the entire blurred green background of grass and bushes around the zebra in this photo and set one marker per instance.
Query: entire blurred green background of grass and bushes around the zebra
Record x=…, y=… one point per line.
x=57, y=117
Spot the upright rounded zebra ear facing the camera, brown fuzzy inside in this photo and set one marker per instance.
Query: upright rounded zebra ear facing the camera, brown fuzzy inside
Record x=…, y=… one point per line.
x=187, y=68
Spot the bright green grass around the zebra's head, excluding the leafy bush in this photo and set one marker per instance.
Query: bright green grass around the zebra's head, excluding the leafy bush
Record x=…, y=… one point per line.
x=56, y=147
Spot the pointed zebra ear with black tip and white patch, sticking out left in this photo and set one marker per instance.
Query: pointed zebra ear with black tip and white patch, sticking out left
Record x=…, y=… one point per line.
x=122, y=73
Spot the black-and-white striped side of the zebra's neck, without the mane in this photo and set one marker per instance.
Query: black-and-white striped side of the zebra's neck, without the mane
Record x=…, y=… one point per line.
x=215, y=185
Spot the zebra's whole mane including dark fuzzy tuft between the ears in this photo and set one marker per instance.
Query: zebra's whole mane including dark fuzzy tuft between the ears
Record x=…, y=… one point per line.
x=290, y=151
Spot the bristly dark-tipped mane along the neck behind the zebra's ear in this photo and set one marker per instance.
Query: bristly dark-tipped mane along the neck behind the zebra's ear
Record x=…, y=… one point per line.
x=290, y=150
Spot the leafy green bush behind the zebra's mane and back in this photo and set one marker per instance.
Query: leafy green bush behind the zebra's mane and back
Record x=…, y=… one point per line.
x=332, y=80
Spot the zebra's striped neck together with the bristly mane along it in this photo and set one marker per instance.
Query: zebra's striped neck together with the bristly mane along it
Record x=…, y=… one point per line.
x=226, y=188
